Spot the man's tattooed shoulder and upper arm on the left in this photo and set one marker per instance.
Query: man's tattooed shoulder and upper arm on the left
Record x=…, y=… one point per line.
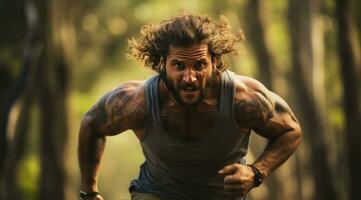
x=120, y=109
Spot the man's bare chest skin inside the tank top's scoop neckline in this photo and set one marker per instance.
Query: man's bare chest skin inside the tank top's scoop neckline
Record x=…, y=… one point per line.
x=188, y=125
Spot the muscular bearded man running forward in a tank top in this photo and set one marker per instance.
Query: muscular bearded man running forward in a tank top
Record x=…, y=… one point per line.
x=193, y=119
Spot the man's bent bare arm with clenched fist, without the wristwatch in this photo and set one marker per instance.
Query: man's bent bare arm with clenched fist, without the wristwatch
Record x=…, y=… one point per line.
x=269, y=116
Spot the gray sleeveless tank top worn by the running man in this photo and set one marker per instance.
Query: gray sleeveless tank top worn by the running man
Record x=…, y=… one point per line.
x=178, y=170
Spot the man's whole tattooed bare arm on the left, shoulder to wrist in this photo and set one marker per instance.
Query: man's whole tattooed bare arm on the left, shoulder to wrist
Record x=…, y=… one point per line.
x=117, y=111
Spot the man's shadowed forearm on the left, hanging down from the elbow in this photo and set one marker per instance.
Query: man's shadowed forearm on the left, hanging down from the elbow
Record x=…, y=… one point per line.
x=90, y=151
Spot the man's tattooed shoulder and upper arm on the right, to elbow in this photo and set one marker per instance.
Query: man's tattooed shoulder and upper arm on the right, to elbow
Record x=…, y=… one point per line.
x=262, y=110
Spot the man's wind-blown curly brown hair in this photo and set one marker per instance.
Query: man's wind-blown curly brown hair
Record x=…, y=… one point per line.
x=183, y=30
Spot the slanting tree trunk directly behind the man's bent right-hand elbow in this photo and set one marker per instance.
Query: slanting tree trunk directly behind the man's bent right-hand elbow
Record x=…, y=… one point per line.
x=310, y=115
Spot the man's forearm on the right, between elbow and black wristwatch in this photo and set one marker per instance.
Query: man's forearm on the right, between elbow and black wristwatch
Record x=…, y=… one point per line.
x=277, y=151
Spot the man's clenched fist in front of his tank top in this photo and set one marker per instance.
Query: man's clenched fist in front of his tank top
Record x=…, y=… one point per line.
x=238, y=179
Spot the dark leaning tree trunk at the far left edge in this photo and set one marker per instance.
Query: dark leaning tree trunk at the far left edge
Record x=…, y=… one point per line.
x=23, y=92
